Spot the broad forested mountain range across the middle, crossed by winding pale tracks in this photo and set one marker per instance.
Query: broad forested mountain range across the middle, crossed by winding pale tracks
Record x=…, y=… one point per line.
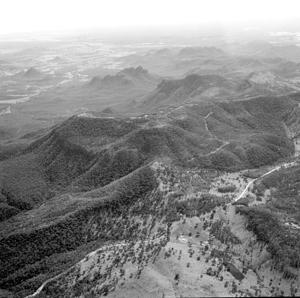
x=88, y=152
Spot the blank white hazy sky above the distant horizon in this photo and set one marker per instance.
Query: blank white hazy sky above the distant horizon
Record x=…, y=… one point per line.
x=53, y=15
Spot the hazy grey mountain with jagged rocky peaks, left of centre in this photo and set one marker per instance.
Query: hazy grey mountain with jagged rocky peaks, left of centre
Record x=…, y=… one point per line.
x=114, y=90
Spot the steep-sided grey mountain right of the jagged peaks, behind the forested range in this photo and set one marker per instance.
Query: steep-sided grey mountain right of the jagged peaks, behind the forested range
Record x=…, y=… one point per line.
x=211, y=87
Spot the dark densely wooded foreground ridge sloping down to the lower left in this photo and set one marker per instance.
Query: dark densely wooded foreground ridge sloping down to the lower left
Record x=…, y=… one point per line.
x=68, y=223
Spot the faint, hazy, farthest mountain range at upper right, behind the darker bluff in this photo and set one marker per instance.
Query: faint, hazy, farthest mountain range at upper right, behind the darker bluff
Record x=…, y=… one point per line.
x=235, y=61
